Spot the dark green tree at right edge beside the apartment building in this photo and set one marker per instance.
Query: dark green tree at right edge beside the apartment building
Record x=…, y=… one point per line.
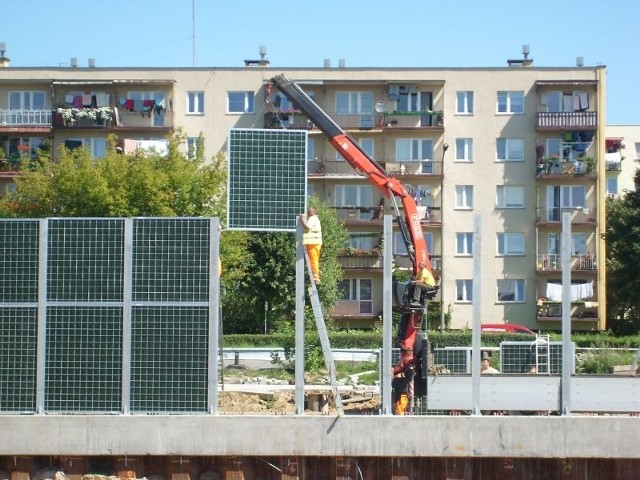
x=622, y=236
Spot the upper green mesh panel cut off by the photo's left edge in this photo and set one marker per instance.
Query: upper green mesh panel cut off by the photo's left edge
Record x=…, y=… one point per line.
x=19, y=261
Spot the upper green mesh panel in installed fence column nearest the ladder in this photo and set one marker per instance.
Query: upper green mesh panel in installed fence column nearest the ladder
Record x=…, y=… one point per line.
x=171, y=260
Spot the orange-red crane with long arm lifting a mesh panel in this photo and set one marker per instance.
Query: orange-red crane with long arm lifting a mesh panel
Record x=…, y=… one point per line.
x=408, y=371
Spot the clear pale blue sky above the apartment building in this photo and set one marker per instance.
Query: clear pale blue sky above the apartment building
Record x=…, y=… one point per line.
x=303, y=33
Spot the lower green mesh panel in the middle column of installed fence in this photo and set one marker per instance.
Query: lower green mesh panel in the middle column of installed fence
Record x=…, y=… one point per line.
x=83, y=359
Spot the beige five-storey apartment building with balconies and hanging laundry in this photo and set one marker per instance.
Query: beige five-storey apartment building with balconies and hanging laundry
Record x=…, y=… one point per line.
x=515, y=146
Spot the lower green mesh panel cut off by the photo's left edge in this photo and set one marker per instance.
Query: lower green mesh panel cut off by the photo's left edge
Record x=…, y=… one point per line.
x=18, y=339
